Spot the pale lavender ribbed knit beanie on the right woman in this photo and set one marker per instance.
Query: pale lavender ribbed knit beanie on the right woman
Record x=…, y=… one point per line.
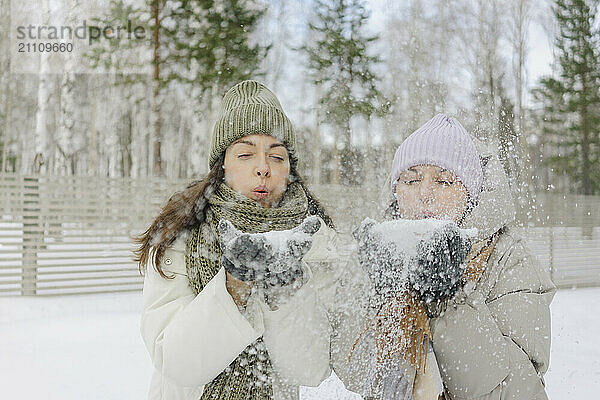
x=442, y=141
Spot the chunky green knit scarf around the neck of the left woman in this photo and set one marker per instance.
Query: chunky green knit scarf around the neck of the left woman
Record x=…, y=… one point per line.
x=249, y=376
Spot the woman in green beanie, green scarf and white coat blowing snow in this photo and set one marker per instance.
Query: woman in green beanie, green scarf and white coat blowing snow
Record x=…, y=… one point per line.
x=231, y=308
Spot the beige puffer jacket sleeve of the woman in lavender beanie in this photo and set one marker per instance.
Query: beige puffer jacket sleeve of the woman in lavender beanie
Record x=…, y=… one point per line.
x=496, y=345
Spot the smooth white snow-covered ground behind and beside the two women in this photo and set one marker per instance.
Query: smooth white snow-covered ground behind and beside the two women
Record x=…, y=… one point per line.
x=88, y=347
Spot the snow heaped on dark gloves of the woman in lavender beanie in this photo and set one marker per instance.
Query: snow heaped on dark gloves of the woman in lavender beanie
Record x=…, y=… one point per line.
x=426, y=255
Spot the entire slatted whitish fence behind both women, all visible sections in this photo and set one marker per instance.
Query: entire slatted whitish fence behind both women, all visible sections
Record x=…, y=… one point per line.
x=66, y=235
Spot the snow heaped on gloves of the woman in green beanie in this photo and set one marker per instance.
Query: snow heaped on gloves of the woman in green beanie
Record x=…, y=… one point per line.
x=273, y=258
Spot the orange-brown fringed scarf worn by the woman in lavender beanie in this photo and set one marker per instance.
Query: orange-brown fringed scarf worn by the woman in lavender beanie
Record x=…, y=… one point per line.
x=401, y=326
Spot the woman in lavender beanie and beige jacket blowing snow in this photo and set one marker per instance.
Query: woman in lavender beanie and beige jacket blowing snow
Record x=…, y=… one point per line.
x=482, y=304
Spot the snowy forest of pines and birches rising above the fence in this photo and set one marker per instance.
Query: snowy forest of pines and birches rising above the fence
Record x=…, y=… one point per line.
x=356, y=78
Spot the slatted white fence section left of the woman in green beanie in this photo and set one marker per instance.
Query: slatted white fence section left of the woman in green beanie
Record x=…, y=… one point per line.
x=61, y=235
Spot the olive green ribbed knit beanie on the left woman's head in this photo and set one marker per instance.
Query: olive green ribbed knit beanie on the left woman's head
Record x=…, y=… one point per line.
x=250, y=108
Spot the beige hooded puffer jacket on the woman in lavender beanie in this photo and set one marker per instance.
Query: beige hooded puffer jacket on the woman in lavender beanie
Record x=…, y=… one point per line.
x=493, y=341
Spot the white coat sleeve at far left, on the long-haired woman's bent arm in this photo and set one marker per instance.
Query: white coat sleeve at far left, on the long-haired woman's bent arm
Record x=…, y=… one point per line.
x=191, y=339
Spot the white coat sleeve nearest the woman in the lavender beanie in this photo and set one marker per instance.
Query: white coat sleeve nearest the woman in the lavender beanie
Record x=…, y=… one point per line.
x=336, y=294
